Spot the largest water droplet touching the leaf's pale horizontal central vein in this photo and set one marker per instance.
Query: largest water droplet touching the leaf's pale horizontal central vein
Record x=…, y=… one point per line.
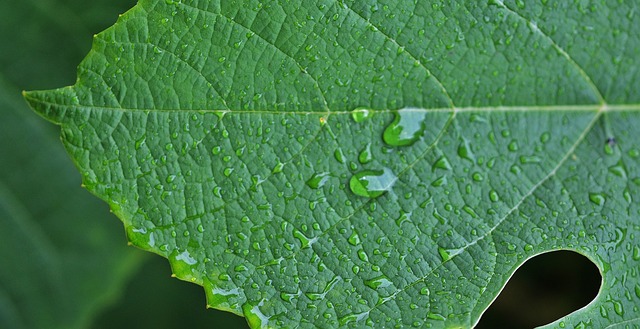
x=406, y=128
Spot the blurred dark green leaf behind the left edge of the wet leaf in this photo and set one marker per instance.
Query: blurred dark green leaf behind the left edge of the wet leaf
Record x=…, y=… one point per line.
x=62, y=255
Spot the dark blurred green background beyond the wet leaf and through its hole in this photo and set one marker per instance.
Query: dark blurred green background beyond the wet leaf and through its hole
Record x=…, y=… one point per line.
x=64, y=262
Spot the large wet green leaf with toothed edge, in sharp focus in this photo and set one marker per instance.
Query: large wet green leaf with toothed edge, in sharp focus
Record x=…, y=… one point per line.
x=366, y=163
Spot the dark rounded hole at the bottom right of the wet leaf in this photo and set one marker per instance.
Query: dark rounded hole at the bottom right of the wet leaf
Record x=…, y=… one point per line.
x=544, y=289
